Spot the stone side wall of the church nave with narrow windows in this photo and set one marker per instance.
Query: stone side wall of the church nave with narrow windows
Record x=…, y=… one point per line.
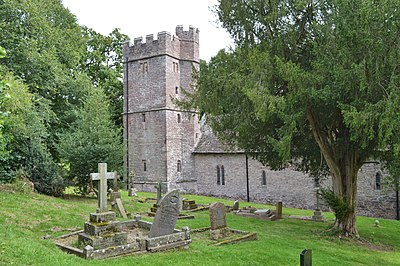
x=293, y=188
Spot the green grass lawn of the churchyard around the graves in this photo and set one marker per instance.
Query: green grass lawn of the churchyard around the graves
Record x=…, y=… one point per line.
x=25, y=218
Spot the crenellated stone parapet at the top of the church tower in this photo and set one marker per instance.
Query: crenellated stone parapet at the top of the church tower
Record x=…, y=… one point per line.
x=183, y=45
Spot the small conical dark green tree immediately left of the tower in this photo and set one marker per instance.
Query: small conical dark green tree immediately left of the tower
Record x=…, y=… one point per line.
x=91, y=139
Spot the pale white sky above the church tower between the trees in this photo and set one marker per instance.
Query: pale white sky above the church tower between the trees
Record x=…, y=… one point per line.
x=138, y=18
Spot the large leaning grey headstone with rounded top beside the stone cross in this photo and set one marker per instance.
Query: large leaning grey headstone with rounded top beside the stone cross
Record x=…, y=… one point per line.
x=166, y=216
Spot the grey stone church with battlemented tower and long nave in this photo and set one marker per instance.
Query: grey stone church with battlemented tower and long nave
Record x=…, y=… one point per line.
x=178, y=148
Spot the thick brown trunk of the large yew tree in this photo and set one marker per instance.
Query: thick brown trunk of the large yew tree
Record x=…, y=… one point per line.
x=344, y=163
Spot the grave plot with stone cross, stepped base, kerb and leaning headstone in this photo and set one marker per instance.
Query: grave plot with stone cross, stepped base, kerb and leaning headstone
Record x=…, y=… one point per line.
x=103, y=236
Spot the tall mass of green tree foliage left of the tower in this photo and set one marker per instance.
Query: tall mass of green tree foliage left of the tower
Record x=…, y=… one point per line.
x=50, y=53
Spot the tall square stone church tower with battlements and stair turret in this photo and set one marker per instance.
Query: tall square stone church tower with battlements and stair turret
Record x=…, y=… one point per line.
x=159, y=137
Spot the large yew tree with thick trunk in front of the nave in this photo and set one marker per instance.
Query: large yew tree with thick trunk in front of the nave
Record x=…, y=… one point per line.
x=310, y=84
